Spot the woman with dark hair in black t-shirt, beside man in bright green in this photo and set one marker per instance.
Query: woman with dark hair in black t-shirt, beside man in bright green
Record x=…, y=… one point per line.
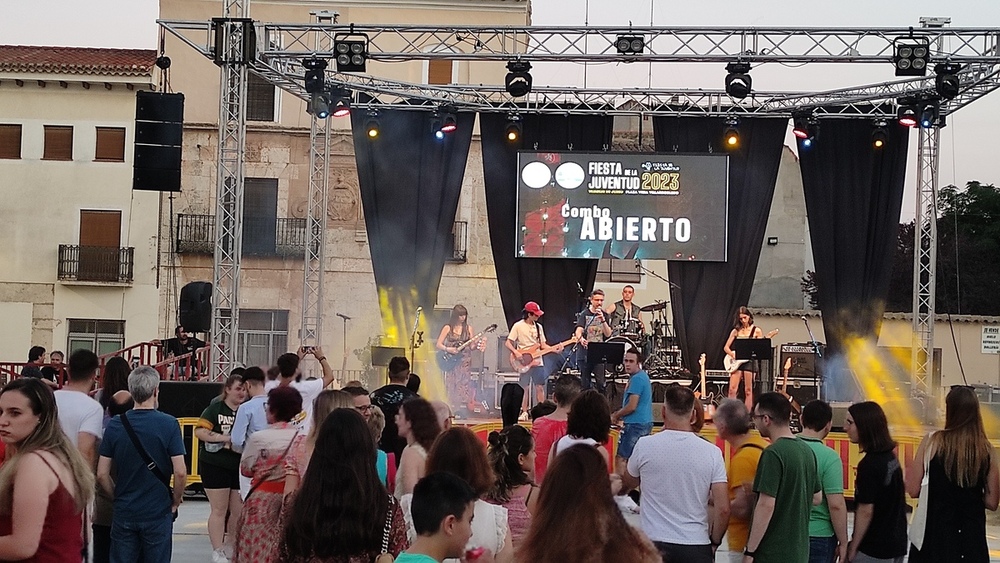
x=880, y=516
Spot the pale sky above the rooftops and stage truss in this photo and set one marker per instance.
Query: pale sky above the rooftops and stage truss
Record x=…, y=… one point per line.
x=966, y=152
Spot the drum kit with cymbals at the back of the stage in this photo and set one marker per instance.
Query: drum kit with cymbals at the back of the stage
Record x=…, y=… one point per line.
x=663, y=357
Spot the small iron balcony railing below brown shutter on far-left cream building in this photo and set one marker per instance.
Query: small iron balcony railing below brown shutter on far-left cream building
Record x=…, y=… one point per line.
x=95, y=264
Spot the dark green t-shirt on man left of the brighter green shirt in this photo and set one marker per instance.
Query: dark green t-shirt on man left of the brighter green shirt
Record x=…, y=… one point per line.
x=787, y=472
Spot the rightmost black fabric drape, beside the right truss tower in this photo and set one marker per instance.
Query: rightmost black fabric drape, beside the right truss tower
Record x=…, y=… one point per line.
x=853, y=198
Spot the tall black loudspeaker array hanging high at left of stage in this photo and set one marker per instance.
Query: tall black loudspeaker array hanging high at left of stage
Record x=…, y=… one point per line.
x=159, y=129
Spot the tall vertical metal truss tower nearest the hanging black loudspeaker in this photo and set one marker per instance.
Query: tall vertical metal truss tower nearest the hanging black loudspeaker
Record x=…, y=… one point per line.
x=229, y=189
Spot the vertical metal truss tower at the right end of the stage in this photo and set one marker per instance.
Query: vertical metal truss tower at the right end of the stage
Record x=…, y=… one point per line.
x=924, y=259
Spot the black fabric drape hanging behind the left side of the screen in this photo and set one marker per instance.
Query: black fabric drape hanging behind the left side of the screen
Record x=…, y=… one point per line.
x=552, y=282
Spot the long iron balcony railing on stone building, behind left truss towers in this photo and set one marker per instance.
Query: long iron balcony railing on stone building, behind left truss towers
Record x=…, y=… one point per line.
x=196, y=235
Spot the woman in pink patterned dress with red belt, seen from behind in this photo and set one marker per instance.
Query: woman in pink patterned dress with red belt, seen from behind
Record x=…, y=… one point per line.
x=265, y=458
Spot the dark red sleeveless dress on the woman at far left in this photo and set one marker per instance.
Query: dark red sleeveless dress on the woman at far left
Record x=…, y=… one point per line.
x=62, y=538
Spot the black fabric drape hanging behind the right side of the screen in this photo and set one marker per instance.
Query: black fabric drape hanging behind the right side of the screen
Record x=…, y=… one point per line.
x=706, y=295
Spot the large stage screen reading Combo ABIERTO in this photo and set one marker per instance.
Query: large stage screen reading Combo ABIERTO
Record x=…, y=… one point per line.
x=622, y=205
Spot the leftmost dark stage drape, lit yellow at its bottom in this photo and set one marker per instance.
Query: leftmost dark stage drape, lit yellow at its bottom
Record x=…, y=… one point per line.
x=410, y=184
